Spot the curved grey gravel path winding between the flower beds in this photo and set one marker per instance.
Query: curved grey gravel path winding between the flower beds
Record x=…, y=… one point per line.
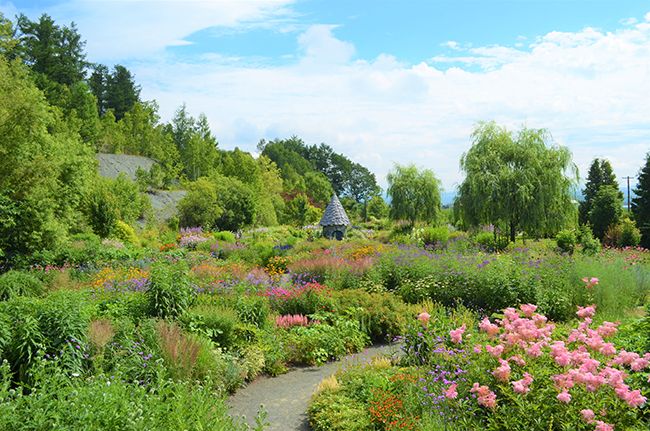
x=286, y=397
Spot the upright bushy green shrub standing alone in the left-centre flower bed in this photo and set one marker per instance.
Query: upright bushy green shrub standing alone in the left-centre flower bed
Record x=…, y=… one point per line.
x=170, y=292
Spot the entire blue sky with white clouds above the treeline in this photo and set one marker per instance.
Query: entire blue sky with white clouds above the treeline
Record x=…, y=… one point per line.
x=386, y=81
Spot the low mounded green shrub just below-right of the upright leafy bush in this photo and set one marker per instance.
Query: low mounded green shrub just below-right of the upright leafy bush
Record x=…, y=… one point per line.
x=214, y=323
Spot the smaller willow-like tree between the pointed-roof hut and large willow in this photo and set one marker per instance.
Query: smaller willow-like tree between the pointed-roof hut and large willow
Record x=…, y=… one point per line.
x=415, y=195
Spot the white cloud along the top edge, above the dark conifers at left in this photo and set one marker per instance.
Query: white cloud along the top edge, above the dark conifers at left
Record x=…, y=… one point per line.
x=121, y=29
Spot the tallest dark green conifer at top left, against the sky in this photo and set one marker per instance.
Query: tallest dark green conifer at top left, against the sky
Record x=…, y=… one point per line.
x=53, y=51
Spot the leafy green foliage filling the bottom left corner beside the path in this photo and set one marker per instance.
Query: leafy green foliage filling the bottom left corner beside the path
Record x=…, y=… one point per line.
x=110, y=403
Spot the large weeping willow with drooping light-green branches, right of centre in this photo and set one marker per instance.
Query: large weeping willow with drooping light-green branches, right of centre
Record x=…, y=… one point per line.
x=521, y=182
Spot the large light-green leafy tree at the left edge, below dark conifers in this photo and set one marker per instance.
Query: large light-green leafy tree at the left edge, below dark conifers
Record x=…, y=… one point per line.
x=46, y=170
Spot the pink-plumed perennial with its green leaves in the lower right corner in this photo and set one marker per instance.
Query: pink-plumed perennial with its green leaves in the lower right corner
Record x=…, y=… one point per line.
x=583, y=368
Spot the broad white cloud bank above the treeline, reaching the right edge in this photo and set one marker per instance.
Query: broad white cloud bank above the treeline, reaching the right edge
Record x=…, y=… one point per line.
x=589, y=88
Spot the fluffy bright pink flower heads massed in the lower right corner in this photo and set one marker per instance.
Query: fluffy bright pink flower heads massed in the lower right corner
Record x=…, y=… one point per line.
x=526, y=331
